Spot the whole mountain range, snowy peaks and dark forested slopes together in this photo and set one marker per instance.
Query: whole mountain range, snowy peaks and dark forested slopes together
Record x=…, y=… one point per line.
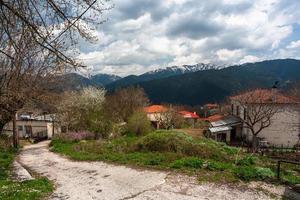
x=201, y=83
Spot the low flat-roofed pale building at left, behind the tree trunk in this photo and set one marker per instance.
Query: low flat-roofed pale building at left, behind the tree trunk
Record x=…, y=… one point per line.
x=29, y=126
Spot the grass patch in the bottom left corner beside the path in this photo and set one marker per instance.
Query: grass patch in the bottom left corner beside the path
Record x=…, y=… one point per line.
x=11, y=190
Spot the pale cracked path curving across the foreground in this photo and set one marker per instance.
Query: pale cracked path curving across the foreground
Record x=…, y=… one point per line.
x=98, y=180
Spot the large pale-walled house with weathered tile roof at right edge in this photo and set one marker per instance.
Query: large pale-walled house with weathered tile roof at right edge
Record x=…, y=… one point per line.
x=284, y=127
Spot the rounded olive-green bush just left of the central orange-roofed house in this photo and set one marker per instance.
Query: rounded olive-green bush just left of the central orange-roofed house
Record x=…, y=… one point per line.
x=139, y=124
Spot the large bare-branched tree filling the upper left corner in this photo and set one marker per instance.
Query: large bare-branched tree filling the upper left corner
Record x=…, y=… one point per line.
x=37, y=39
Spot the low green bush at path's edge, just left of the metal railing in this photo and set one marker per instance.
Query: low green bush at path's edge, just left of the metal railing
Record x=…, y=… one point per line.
x=257, y=173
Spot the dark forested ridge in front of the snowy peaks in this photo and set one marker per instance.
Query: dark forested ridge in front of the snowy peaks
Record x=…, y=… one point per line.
x=215, y=84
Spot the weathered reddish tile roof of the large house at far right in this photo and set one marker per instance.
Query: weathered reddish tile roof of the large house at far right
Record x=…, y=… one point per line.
x=265, y=96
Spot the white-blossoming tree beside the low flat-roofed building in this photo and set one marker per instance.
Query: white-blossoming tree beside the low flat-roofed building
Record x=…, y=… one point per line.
x=83, y=110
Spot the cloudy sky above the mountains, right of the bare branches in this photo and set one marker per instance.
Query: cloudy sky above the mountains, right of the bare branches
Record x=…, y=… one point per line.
x=143, y=35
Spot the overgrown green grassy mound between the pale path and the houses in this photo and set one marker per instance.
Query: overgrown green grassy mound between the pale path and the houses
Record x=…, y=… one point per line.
x=173, y=150
